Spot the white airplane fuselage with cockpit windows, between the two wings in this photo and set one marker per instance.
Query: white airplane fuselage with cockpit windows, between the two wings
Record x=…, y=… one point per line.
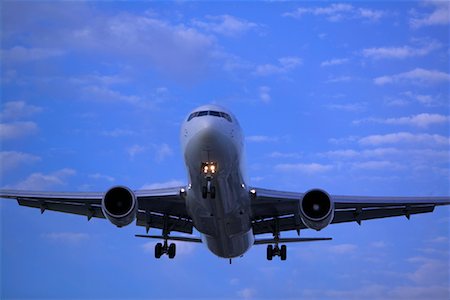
x=212, y=135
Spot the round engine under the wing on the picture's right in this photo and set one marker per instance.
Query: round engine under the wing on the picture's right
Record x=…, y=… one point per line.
x=316, y=209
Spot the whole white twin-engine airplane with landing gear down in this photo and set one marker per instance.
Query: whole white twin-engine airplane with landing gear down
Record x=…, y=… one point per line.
x=217, y=201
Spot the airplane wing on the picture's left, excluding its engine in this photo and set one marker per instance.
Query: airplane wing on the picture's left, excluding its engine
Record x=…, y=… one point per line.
x=157, y=208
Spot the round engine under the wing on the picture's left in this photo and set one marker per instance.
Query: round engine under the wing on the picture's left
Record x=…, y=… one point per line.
x=119, y=205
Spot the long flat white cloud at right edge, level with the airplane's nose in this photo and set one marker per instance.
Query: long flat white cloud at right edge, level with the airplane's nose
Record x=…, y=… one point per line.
x=405, y=137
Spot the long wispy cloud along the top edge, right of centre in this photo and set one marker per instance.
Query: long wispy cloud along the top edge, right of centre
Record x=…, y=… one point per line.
x=337, y=12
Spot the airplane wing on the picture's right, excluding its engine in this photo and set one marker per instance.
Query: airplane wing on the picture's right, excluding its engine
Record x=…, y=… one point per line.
x=277, y=209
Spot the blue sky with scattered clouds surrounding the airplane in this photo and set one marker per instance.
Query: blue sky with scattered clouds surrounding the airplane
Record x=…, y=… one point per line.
x=349, y=97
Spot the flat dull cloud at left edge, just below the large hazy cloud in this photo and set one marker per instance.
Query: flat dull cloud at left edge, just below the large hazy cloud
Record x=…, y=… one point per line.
x=20, y=54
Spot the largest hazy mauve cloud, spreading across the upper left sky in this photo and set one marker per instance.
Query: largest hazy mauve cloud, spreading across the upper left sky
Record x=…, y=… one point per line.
x=175, y=49
